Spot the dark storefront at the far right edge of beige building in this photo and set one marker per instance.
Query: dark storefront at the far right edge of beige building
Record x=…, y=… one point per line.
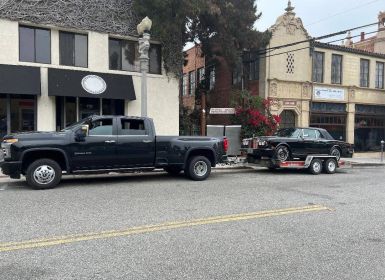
x=369, y=128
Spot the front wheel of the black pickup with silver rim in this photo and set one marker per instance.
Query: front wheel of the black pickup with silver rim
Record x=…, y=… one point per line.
x=43, y=174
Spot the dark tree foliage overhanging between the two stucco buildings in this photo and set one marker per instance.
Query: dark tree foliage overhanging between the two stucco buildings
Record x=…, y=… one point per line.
x=223, y=27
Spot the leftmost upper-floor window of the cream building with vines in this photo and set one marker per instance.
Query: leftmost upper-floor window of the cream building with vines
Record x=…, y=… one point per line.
x=34, y=44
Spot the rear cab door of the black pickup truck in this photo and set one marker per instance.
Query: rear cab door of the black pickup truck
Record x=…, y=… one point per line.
x=136, y=143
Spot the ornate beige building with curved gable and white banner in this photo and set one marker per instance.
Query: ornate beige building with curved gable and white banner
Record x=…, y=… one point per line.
x=323, y=85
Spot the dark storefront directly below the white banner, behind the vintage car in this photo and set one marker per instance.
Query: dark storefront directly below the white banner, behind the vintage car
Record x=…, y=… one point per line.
x=330, y=116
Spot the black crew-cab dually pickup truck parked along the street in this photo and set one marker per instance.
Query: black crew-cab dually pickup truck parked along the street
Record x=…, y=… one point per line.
x=102, y=144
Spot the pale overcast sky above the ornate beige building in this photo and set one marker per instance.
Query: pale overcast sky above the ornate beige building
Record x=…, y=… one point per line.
x=321, y=17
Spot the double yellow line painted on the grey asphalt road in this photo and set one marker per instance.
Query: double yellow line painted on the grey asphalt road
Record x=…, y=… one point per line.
x=59, y=240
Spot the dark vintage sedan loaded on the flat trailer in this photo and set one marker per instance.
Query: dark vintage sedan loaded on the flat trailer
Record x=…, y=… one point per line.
x=296, y=143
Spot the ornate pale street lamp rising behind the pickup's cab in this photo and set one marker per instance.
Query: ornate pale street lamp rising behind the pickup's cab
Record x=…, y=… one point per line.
x=144, y=28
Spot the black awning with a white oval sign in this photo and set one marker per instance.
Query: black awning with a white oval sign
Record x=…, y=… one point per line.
x=90, y=84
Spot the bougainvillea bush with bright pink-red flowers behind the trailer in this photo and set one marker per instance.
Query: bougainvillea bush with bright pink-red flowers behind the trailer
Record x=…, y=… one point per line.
x=253, y=113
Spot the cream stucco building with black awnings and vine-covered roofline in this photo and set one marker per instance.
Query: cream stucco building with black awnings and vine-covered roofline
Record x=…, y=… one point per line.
x=69, y=62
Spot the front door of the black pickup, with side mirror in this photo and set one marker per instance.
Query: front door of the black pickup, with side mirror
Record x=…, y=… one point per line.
x=98, y=150
